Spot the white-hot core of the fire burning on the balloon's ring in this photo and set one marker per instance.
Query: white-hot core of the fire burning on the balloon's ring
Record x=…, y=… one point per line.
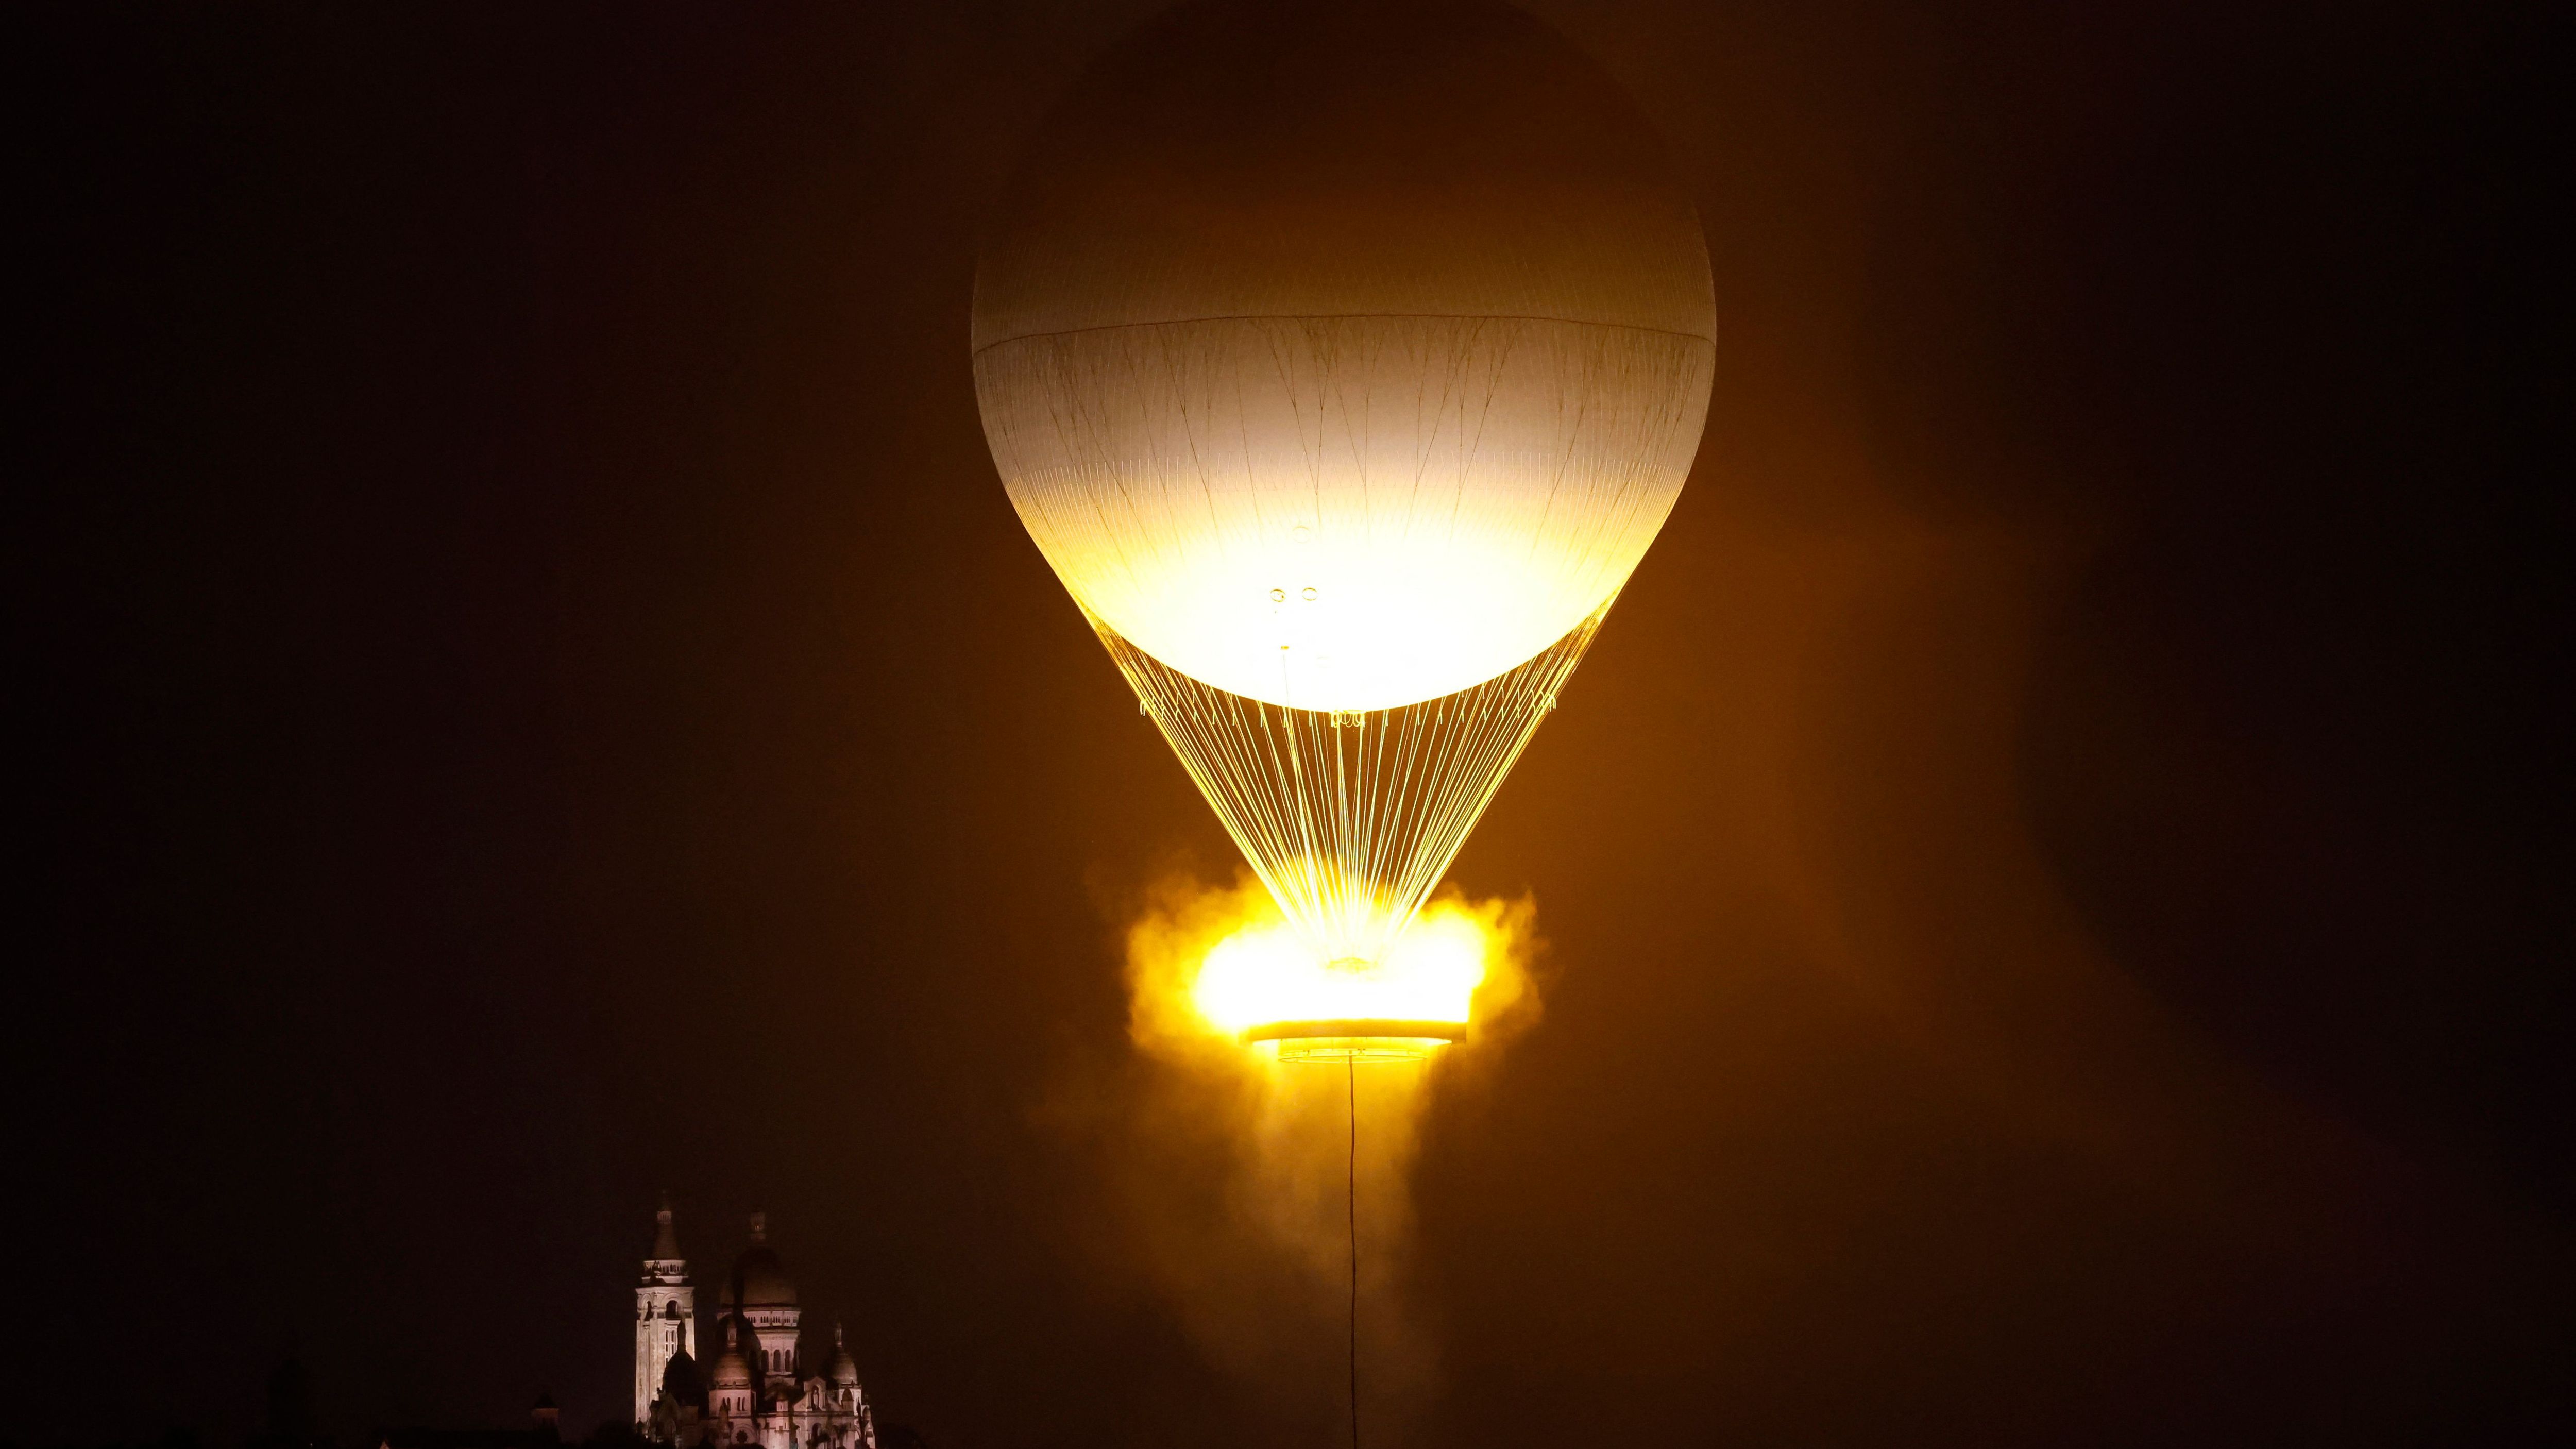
x=1264, y=976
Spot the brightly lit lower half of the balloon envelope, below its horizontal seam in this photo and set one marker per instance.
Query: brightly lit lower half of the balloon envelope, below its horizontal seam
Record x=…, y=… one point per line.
x=1346, y=512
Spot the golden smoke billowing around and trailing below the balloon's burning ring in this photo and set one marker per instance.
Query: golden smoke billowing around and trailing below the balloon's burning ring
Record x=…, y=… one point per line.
x=1269, y=1205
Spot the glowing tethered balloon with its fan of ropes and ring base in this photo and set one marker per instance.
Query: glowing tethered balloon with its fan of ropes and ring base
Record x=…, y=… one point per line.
x=1343, y=362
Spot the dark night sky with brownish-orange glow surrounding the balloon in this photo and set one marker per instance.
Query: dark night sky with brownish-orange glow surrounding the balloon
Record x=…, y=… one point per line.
x=529, y=692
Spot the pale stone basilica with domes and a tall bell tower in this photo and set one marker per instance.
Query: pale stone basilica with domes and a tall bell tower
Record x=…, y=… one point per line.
x=759, y=1391
